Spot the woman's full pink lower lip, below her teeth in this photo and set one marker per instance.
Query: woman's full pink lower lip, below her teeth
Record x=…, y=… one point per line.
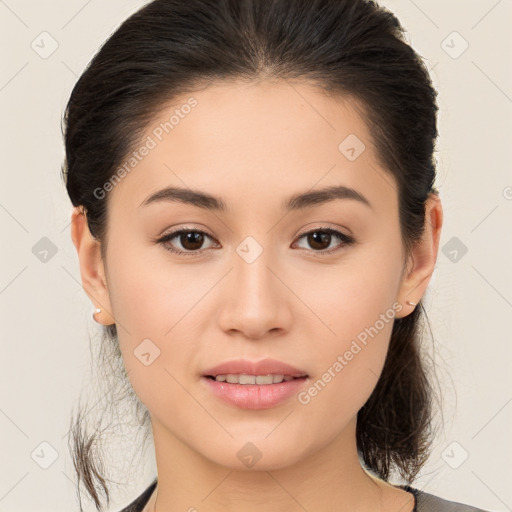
x=255, y=396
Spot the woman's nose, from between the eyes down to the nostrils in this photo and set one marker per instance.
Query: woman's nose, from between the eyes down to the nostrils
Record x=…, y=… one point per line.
x=254, y=303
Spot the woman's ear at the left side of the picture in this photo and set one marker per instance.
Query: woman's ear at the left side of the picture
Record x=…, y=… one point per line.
x=92, y=267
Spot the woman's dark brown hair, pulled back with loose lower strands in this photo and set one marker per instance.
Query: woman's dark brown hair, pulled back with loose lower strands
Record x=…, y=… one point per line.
x=348, y=48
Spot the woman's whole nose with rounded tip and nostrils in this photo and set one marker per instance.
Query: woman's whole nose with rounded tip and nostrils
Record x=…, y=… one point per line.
x=255, y=302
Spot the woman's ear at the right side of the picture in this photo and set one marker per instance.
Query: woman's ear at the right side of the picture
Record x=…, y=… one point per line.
x=422, y=260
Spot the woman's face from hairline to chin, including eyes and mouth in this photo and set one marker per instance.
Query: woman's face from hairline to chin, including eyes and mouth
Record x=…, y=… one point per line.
x=266, y=279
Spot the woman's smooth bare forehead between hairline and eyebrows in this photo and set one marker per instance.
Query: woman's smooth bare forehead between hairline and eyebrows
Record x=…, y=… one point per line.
x=270, y=138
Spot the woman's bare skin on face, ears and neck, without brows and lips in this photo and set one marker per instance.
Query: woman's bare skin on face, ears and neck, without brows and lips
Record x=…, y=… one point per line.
x=254, y=146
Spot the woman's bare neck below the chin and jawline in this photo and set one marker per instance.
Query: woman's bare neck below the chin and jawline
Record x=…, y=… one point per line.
x=328, y=479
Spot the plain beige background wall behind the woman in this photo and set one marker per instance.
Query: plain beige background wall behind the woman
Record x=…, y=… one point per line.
x=45, y=314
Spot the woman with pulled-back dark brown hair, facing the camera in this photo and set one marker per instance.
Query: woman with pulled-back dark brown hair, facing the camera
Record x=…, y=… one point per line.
x=256, y=223
